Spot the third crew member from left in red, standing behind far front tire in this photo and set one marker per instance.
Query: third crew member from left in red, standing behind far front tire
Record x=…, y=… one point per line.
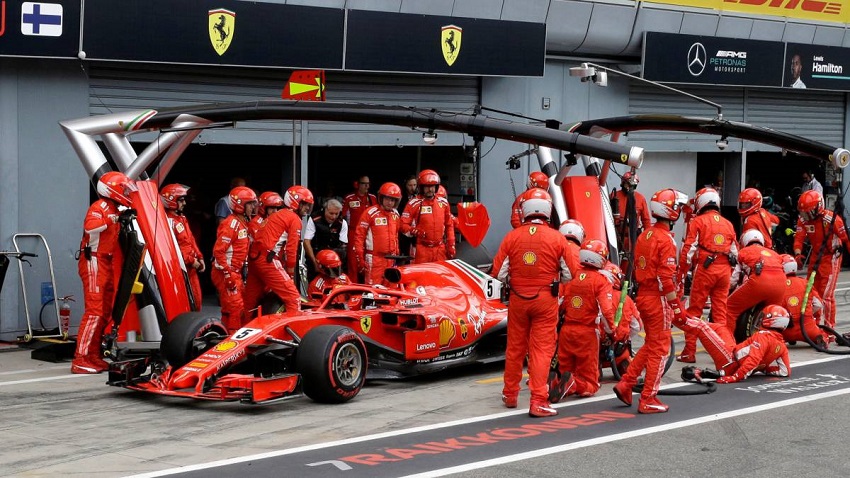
x=230, y=253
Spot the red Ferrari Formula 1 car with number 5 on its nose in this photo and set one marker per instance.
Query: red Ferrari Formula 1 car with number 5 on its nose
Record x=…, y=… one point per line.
x=439, y=315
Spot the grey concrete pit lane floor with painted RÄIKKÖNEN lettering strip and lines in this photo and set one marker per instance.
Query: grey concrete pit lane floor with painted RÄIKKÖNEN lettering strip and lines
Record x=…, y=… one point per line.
x=54, y=423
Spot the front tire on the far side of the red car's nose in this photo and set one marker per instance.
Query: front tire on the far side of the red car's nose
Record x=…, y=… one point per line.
x=189, y=335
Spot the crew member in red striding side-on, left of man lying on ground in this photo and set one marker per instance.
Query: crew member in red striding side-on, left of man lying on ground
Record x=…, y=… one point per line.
x=655, y=268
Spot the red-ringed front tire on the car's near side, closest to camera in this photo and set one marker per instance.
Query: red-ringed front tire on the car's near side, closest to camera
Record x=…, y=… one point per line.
x=332, y=362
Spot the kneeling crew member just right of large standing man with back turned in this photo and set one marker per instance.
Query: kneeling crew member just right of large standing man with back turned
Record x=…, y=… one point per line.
x=588, y=294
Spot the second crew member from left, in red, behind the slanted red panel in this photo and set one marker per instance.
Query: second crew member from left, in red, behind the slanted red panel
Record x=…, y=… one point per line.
x=174, y=199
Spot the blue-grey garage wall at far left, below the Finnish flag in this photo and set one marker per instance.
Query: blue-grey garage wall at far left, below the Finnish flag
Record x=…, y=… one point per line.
x=44, y=189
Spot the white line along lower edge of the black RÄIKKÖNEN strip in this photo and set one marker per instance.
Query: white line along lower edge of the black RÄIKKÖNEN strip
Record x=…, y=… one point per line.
x=625, y=435
